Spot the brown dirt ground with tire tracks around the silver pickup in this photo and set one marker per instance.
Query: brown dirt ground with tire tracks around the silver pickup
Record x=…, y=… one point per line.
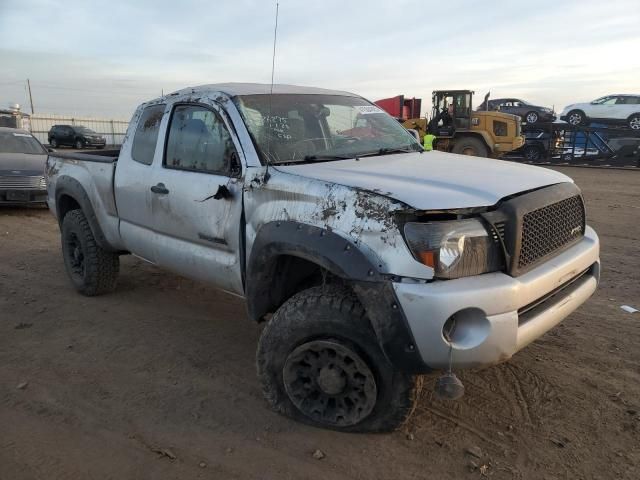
x=157, y=380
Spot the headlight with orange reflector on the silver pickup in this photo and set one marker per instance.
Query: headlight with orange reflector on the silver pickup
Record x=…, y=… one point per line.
x=454, y=249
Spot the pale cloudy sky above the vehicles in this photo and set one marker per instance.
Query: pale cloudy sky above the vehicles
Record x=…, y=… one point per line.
x=103, y=58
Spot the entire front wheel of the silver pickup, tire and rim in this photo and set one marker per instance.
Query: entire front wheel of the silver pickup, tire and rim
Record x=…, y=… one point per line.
x=319, y=362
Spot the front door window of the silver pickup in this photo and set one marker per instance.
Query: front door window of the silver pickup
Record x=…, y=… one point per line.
x=199, y=141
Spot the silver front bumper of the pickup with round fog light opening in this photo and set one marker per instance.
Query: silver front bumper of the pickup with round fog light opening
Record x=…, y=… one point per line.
x=497, y=314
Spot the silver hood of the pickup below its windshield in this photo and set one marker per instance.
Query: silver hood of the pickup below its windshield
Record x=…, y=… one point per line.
x=432, y=180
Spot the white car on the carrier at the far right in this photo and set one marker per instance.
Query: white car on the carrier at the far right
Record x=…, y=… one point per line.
x=623, y=108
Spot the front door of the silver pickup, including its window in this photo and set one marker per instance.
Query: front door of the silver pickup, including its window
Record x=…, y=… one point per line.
x=196, y=200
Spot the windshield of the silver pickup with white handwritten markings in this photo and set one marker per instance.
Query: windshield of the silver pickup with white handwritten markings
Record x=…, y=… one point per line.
x=291, y=128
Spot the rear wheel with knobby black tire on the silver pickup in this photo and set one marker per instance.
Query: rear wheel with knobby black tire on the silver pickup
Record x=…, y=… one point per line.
x=99, y=271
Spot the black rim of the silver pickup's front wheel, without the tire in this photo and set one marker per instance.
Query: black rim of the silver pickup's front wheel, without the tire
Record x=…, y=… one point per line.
x=330, y=383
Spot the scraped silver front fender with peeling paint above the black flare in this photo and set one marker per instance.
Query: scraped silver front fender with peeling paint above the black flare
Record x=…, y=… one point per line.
x=367, y=219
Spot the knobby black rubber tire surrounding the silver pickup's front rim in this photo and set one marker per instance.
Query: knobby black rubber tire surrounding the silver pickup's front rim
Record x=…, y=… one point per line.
x=333, y=314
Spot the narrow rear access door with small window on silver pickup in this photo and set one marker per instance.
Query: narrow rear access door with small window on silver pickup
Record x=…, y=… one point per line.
x=133, y=182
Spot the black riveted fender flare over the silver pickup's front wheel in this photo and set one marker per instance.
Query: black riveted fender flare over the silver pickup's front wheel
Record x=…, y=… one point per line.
x=344, y=258
